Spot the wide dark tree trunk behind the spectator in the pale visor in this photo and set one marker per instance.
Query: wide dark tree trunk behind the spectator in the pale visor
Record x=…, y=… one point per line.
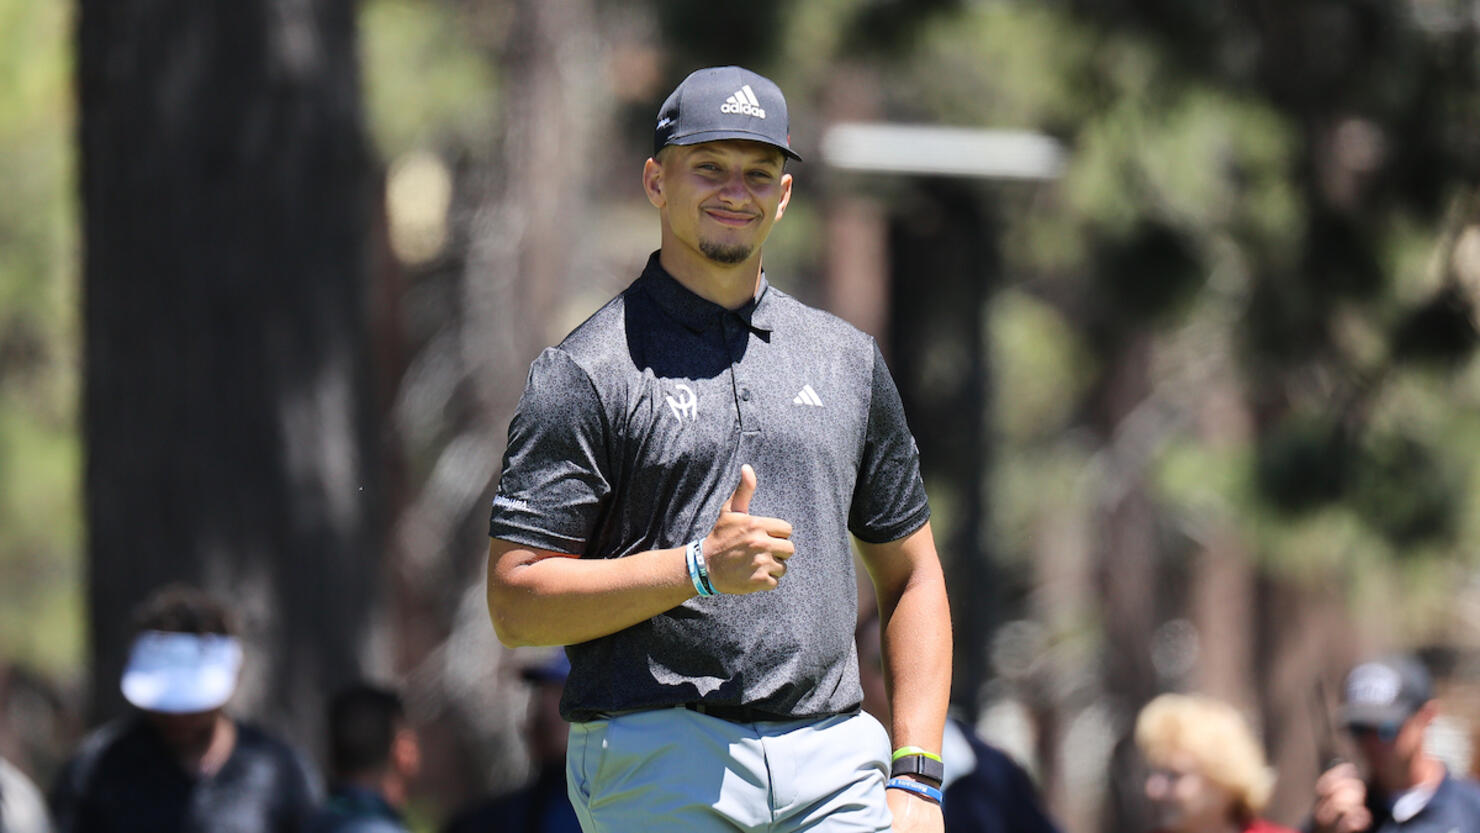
x=229, y=411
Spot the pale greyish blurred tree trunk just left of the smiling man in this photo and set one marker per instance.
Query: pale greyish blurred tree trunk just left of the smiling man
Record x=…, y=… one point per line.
x=528, y=229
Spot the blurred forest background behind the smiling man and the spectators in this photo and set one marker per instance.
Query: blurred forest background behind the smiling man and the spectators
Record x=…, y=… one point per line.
x=1180, y=297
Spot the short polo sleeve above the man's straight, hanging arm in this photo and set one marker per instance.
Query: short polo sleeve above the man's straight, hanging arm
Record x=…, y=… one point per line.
x=889, y=501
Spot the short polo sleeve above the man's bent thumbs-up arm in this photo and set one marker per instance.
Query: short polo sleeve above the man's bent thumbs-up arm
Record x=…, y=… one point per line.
x=554, y=482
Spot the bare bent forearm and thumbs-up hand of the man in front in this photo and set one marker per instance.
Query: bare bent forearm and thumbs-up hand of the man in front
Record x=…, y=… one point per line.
x=539, y=597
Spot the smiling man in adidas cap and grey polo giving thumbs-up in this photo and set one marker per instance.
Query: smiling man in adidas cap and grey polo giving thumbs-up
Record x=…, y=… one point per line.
x=682, y=479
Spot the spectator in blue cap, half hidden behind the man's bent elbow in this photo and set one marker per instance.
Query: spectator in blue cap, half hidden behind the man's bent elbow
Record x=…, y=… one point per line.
x=544, y=806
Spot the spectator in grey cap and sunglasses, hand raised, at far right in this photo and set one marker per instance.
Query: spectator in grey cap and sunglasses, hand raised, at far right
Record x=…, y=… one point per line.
x=1389, y=706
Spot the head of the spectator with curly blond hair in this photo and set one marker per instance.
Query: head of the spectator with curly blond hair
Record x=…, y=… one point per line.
x=1207, y=769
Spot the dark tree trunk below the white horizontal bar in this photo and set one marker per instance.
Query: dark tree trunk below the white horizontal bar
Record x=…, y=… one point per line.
x=941, y=242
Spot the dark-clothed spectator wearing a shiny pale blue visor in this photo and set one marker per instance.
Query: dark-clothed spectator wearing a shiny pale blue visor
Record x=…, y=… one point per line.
x=180, y=764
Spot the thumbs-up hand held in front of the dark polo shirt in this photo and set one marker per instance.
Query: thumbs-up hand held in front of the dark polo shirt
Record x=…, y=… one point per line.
x=747, y=553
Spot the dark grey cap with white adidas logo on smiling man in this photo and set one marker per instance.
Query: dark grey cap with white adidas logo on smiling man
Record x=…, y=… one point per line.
x=724, y=103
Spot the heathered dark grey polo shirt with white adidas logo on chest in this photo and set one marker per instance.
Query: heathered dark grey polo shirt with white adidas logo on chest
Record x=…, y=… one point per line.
x=630, y=437
